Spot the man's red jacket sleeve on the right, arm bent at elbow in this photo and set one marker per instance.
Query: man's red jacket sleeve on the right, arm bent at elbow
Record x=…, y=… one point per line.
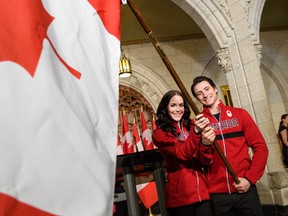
x=258, y=145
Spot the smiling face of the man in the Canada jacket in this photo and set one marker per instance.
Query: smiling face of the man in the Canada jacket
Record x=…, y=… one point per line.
x=206, y=94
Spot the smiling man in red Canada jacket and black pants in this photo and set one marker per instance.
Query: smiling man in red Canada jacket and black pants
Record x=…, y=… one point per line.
x=236, y=132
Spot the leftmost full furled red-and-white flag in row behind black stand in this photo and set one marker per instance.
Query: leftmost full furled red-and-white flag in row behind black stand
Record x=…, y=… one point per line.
x=127, y=143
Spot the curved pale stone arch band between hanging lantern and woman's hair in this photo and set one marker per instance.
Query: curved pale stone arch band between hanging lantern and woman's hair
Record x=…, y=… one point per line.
x=147, y=82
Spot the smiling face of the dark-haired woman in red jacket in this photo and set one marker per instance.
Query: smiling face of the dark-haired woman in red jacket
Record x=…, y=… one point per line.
x=176, y=108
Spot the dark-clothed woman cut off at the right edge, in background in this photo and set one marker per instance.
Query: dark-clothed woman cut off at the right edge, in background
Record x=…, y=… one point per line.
x=282, y=132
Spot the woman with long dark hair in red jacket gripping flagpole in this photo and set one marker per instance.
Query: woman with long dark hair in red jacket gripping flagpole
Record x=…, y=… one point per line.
x=186, y=148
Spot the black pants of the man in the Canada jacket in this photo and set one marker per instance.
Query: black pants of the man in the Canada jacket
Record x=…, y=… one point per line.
x=237, y=204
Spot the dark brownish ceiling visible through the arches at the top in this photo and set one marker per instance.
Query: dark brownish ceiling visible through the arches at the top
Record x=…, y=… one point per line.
x=169, y=22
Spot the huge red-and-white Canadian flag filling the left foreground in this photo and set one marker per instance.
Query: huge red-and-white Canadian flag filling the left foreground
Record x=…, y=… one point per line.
x=59, y=106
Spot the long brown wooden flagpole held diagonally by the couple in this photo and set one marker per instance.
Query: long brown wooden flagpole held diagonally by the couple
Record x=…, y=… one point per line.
x=178, y=81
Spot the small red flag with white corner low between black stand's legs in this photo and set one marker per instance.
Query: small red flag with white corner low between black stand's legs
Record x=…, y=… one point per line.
x=147, y=192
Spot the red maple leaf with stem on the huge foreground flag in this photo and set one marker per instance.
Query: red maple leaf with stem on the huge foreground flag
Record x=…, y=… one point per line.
x=23, y=27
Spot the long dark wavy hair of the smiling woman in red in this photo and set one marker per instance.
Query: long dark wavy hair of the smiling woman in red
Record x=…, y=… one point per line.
x=164, y=121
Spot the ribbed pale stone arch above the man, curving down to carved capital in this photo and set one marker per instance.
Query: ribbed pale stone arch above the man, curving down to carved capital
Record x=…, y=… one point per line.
x=213, y=17
